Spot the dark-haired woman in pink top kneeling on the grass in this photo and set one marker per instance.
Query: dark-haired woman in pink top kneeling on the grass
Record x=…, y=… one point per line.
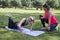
x=48, y=18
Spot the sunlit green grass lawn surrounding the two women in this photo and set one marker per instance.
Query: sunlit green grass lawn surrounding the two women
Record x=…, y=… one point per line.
x=18, y=14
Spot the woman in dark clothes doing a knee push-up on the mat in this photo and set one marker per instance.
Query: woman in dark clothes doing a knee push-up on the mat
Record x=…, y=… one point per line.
x=22, y=23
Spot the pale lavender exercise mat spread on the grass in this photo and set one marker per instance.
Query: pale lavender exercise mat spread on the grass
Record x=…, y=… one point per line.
x=27, y=31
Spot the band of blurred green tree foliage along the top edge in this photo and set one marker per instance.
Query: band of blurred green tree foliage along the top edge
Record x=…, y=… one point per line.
x=29, y=3
